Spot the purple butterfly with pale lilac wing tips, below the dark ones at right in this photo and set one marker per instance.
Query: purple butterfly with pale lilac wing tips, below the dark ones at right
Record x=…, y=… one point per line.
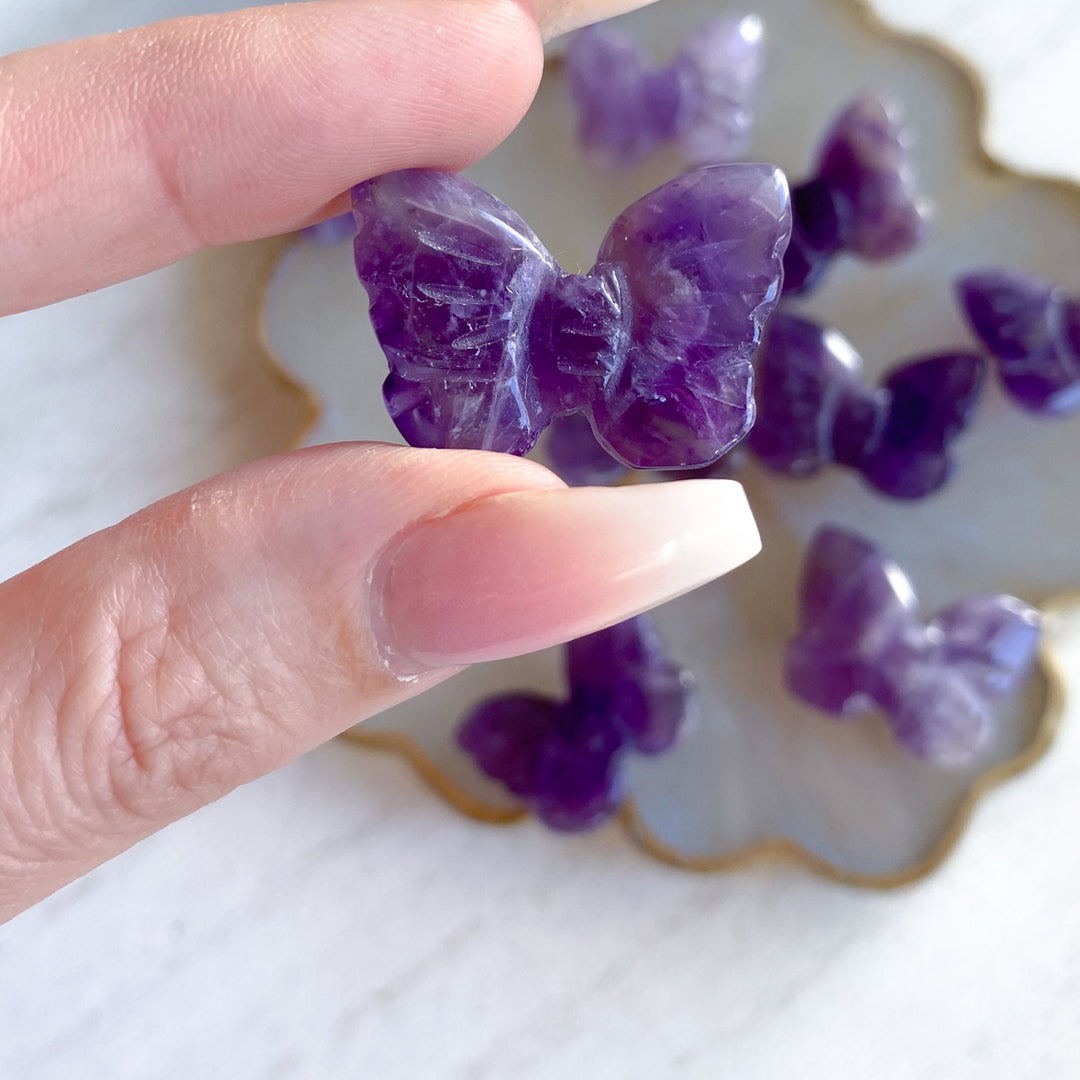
x=861, y=645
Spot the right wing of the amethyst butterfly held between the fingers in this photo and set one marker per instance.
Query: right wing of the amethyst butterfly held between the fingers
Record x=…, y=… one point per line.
x=700, y=262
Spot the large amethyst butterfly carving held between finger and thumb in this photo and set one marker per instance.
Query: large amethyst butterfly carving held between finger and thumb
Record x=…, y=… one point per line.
x=489, y=340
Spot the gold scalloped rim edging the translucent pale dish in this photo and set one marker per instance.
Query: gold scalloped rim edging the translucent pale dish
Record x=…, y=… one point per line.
x=632, y=823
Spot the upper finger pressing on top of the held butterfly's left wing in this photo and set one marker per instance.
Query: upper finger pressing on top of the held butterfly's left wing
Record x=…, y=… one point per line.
x=125, y=153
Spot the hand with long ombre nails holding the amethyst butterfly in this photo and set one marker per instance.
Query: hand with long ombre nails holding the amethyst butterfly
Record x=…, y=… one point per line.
x=152, y=668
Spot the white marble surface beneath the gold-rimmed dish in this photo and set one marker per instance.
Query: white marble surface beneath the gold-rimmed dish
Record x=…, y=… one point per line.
x=335, y=921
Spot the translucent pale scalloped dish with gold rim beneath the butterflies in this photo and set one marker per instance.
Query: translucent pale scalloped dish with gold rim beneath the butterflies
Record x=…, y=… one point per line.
x=761, y=774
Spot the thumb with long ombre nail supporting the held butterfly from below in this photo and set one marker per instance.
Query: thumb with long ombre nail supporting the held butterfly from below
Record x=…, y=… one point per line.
x=156, y=666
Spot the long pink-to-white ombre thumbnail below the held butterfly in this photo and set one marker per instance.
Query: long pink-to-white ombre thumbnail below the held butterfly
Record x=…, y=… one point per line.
x=511, y=574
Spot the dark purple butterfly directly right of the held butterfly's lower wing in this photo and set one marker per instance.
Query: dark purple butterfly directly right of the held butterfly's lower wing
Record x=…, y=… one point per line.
x=815, y=409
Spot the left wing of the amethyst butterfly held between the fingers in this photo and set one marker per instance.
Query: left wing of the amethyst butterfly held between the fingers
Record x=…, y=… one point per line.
x=452, y=274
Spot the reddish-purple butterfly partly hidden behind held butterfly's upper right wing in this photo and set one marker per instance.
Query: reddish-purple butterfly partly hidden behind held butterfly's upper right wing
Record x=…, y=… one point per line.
x=862, y=199
